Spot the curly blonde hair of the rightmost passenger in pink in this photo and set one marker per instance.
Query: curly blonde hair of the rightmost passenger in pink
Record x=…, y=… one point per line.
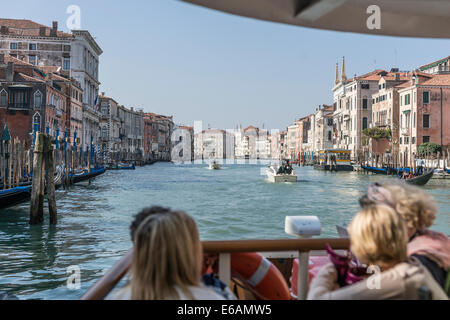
x=416, y=207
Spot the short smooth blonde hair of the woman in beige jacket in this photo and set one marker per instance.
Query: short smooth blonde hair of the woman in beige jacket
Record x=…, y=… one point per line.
x=378, y=236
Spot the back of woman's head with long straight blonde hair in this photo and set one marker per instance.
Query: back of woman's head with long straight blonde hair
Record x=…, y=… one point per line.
x=167, y=254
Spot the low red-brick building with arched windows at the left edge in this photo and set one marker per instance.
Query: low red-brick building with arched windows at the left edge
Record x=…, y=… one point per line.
x=31, y=100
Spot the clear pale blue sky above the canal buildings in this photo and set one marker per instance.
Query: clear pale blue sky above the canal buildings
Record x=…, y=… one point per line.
x=174, y=58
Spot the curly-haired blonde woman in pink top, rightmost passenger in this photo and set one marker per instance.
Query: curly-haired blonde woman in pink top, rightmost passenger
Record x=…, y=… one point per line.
x=418, y=209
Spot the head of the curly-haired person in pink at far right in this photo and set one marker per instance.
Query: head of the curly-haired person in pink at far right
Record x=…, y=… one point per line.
x=416, y=207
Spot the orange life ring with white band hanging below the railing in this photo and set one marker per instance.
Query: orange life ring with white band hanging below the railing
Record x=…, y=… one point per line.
x=261, y=275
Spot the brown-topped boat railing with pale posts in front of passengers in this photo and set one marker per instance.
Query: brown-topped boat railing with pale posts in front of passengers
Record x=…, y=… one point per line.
x=224, y=249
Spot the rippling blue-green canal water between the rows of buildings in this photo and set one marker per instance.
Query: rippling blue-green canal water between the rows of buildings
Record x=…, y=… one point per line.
x=234, y=203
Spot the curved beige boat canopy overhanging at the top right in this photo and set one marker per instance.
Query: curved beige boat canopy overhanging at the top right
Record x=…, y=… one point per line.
x=406, y=18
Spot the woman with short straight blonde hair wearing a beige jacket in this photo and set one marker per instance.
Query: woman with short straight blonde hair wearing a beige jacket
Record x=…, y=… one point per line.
x=378, y=238
